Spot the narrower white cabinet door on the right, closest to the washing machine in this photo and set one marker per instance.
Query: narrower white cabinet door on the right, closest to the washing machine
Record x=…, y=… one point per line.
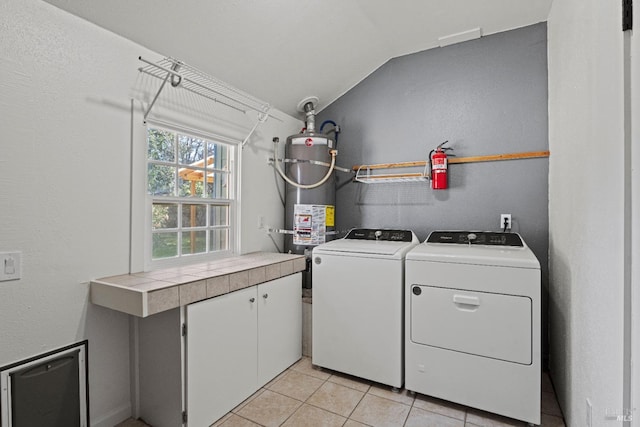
x=279, y=326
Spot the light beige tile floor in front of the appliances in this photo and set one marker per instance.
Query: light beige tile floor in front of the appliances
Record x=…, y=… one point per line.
x=305, y=396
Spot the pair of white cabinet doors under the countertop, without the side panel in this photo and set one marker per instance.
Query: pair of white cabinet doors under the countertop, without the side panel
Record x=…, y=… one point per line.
x=238, y=342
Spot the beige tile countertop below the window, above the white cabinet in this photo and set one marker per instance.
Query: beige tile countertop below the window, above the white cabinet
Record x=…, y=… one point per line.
x=144, y=294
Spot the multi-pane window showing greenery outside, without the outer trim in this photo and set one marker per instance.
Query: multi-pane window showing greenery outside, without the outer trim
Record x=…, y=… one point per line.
x=190, y=188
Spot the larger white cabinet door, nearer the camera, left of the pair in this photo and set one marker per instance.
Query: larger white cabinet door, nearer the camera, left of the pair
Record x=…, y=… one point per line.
x=221, y=355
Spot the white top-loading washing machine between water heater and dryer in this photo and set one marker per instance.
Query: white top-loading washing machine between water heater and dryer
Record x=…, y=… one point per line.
x=357, y=310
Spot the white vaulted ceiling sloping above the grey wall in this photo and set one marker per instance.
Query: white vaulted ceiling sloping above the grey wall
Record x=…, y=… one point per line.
x=285, y=50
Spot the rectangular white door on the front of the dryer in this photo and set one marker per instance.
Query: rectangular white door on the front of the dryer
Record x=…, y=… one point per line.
x=479, y=323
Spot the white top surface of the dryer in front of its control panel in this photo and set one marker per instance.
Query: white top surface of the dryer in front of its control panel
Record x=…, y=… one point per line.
x=478, y=254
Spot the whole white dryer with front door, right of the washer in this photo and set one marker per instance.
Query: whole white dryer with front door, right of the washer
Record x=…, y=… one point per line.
x=473, y=322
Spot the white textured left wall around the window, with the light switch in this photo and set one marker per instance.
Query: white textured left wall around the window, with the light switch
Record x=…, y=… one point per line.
x=65, y=87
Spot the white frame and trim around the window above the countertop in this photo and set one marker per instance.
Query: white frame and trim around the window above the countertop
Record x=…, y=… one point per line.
x=140, y=163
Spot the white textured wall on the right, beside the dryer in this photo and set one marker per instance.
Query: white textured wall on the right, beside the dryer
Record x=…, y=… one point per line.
x=586, y=206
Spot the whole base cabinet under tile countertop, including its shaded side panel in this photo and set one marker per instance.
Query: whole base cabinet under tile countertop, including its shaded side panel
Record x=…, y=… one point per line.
x=234, y=344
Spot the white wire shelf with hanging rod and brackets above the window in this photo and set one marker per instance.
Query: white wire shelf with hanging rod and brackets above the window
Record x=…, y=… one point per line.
x=193, y=80
